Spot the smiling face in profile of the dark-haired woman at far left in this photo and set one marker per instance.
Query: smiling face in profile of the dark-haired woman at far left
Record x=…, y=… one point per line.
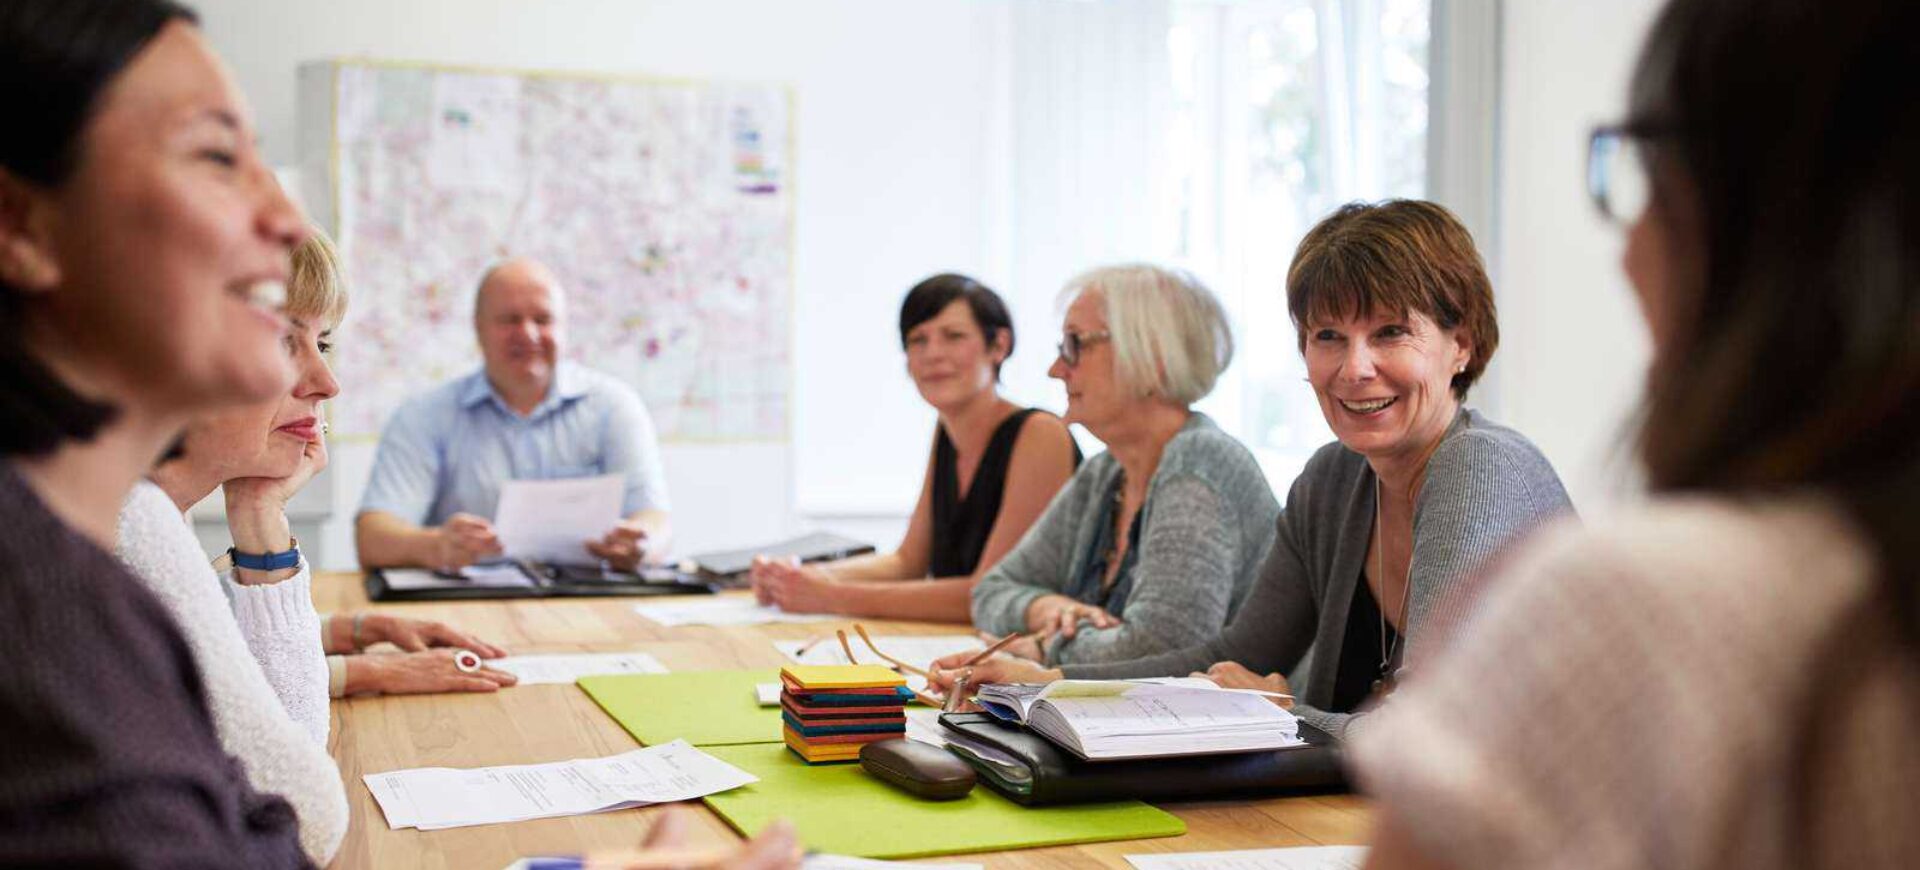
x=168, y=247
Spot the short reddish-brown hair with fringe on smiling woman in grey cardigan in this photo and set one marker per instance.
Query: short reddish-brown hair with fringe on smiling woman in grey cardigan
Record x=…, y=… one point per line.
x=1397, y=256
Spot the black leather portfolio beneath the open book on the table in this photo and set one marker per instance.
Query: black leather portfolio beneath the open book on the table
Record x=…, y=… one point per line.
x=1032, y=771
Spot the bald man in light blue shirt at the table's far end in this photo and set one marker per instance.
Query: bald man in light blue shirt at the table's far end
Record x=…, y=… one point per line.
x=525, y=416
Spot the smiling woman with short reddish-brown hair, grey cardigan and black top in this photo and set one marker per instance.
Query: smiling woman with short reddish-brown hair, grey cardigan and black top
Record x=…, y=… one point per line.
x=1383, y=529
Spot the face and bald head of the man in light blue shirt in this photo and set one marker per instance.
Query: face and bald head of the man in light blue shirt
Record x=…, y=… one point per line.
x=519, y=324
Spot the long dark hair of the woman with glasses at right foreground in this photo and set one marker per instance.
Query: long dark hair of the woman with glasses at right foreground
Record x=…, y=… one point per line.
x=1794, y=358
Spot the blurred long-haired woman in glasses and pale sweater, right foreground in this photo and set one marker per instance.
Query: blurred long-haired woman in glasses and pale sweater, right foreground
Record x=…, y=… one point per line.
x=1729, y=677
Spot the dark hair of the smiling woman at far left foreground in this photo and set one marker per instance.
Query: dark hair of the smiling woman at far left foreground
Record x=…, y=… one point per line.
x=57, y=59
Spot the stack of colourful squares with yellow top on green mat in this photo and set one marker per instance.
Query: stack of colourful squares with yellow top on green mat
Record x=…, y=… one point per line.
x=830, y=712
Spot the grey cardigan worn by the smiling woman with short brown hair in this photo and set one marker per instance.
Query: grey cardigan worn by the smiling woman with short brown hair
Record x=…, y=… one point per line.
x=1485, y=487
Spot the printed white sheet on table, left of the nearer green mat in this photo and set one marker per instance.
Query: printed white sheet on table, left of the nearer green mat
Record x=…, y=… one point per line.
x=448, y=798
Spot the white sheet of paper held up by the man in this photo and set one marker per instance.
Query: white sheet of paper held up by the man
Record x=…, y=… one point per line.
x=550, y=521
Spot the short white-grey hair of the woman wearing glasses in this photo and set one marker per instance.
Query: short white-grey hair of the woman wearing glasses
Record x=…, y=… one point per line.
x=1170, y=333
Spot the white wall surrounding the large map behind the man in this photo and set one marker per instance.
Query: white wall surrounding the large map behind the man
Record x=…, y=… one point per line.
x=900, y=174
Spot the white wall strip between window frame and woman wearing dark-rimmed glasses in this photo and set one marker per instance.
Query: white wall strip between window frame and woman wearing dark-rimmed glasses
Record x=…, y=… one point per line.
x=1573, y=350
